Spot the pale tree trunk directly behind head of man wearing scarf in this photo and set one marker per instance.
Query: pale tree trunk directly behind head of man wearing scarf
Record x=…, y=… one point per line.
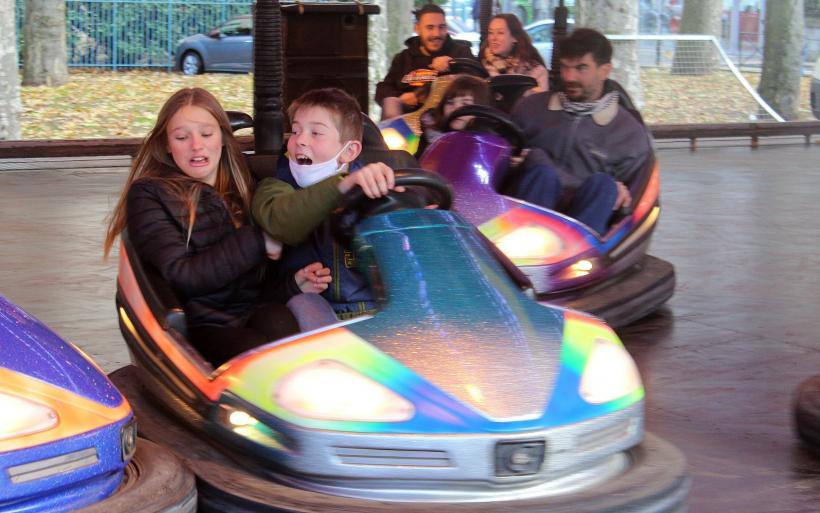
x=616, y=17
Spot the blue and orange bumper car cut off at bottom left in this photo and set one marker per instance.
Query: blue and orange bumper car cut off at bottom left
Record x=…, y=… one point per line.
x=68, y=438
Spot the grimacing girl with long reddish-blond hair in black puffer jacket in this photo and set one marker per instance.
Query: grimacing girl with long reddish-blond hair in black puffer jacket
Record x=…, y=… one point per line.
x=186, y=206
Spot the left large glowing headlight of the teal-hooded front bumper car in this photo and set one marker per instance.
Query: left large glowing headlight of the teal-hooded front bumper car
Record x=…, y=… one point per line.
x=329, y=390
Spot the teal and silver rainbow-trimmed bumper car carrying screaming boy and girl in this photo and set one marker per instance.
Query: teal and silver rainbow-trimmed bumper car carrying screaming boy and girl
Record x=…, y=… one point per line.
x=460, y=392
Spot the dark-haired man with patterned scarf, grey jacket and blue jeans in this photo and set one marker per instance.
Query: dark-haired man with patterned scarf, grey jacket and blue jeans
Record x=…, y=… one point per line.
x=585, y=147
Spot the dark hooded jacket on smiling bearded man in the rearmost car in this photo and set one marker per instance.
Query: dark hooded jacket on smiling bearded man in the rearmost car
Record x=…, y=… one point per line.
x=412, y=58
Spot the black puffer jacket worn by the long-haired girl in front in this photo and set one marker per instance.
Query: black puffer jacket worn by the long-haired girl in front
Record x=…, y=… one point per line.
x=218, y=274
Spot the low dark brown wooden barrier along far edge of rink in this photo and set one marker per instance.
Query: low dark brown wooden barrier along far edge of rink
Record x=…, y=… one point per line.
x=39, y=148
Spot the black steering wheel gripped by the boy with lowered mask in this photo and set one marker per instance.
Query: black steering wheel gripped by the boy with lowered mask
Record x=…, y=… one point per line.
x=423, y=188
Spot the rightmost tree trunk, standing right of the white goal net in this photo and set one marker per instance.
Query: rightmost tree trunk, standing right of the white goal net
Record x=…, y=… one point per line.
x=780, y=81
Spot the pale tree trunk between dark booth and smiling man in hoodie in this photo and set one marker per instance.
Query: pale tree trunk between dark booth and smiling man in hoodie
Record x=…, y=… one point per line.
x=387, y=32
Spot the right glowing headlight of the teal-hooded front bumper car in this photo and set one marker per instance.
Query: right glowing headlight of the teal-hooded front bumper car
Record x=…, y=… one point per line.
x=610, y=373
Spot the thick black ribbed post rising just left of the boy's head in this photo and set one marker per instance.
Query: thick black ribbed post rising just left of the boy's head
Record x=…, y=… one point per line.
x=268, y=119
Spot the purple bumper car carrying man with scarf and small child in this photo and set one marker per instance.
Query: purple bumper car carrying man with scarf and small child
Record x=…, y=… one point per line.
x=567, y=263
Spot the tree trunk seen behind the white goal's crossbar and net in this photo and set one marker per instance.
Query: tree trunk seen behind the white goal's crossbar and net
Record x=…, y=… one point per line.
x=697, y=57
